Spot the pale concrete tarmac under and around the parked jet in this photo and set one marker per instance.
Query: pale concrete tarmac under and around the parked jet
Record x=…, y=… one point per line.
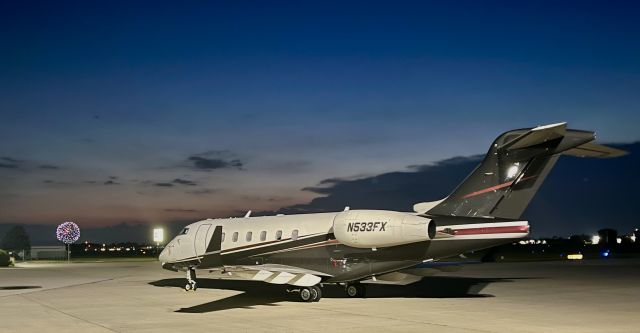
x=560, y=296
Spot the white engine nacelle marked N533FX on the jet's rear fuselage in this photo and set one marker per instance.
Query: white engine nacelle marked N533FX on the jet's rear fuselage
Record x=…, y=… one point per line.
x=381, y=228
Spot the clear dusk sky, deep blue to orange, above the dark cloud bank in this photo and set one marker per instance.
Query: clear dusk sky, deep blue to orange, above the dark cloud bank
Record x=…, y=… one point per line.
x=152, y=111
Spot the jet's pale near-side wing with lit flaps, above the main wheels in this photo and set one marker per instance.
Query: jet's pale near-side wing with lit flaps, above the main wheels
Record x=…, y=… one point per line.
x=275, y=274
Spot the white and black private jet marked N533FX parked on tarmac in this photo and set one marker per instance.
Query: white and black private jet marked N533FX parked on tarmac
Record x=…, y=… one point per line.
x=357, y=247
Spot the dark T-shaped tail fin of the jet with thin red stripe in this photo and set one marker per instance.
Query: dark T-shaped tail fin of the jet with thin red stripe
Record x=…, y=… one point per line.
x=515, y=166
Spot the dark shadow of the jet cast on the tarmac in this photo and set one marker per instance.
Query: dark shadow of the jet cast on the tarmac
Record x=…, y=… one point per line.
x=260, y=293
